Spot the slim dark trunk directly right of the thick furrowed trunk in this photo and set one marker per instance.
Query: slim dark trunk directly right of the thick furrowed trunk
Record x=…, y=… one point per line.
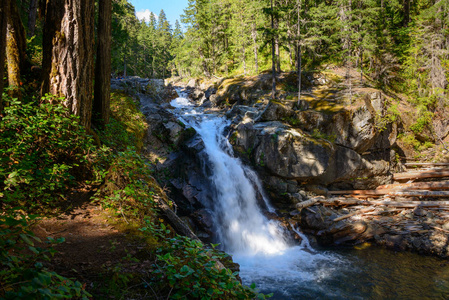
x=102, y=89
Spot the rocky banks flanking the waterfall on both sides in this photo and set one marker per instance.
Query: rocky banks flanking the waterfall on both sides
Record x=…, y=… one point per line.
x=332, y=140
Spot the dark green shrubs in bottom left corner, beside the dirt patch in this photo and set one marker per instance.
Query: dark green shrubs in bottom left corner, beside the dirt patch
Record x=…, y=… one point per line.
x=22, y=272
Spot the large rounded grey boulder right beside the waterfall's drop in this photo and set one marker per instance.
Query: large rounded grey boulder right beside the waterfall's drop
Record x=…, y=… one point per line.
x=289, y=153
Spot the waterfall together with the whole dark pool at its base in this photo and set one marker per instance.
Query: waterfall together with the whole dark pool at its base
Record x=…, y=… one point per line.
x=276, y=263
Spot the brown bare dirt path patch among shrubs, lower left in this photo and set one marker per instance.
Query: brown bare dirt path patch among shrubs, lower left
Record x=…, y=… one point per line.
x=98, y=251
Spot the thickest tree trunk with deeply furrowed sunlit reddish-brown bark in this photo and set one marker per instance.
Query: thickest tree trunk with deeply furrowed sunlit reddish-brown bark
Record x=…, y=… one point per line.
x=72, y=58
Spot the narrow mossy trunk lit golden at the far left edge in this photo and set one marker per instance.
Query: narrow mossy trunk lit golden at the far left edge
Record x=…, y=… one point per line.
x=15, y=49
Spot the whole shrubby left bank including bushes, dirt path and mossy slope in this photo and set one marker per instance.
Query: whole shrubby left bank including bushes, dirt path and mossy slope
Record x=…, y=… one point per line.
x=79, y=213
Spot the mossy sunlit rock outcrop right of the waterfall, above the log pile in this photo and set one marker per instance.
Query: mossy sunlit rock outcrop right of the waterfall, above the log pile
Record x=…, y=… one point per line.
x=289, y=146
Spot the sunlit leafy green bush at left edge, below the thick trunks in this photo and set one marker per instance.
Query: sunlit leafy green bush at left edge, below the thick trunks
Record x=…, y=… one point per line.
x=43, y=151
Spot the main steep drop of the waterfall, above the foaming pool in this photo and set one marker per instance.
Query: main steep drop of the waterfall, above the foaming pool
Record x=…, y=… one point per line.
x=243, y=229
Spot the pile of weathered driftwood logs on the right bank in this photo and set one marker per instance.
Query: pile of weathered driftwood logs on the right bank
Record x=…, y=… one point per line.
x=418, y=205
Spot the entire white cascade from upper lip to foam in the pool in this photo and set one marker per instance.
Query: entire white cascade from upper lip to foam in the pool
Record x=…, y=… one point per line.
x=257, y=244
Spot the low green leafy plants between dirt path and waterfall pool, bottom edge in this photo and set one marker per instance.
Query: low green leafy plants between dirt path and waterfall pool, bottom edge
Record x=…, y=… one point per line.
x=185, y=269
